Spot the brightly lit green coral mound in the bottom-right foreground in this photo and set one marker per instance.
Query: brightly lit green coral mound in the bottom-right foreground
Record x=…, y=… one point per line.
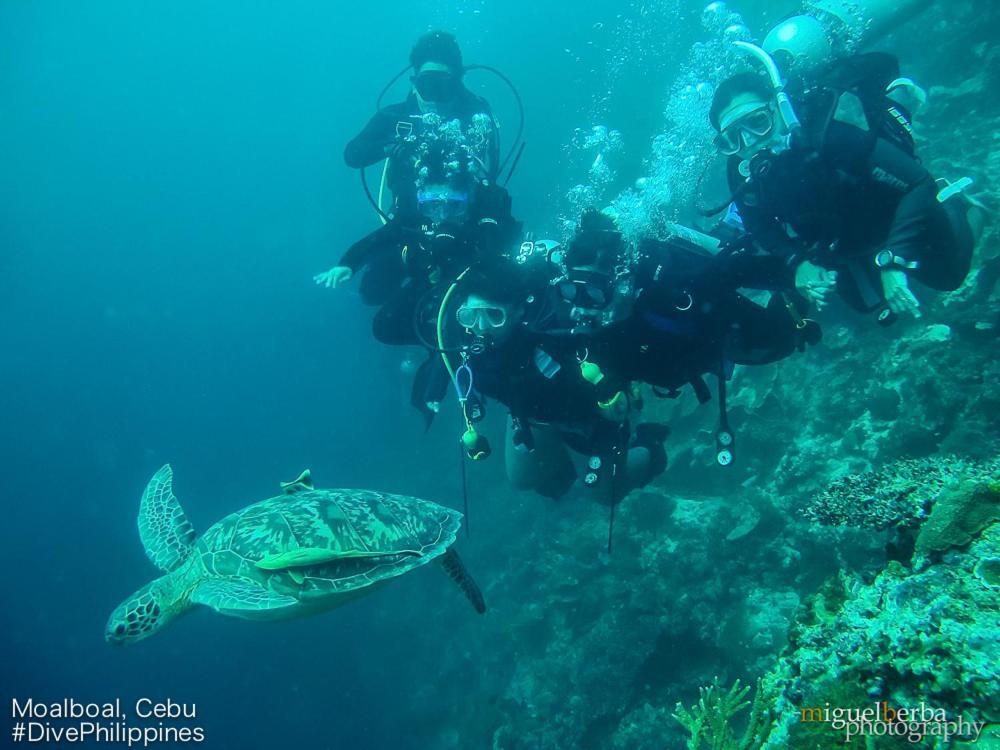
x=909, y=636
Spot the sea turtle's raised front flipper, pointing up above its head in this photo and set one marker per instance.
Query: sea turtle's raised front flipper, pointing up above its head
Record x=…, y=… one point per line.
x=165, y=531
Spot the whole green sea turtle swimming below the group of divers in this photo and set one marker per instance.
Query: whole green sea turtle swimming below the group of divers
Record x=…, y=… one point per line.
x=304, y=551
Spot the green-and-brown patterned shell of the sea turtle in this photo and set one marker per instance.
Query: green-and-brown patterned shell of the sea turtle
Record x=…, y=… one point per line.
x=328, y=542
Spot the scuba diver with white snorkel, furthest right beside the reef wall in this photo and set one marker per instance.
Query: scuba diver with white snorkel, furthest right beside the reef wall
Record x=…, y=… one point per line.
x=840, y=194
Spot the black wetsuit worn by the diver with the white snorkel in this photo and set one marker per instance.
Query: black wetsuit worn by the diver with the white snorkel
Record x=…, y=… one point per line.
x=841, y=202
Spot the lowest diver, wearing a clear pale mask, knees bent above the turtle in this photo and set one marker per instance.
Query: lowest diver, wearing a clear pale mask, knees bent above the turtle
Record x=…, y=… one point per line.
x=554, y=411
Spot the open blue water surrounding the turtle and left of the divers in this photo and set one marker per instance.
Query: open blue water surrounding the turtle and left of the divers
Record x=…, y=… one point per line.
x=170, y=180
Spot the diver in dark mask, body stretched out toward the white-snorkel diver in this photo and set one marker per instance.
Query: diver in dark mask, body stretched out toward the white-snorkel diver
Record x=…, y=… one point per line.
x=668, y=313
